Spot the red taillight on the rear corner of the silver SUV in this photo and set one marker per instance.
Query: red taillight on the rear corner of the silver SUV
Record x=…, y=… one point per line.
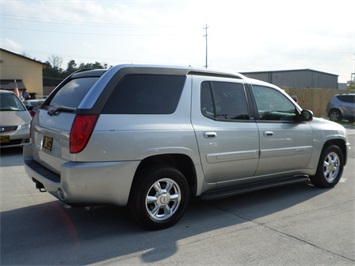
x=81, y=131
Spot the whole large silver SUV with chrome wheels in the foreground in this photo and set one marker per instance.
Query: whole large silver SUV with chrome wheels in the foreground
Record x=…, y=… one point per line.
x=151, y=137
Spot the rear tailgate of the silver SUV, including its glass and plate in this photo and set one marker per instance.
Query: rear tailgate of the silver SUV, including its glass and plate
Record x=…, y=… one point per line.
x=52, y=127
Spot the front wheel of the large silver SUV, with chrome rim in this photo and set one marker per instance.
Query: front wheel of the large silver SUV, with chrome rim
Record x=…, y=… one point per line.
x=330, y=168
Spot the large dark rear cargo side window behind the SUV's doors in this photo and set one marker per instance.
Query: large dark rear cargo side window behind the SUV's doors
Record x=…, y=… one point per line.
x=146, y=94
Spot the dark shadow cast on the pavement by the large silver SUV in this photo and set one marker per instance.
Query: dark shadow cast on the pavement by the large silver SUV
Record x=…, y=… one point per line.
x=48, y=234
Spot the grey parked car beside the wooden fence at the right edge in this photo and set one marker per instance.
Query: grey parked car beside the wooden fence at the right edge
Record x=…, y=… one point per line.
x=341, y=106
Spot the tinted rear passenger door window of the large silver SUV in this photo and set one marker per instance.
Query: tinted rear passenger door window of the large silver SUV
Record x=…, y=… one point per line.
x=223, y=100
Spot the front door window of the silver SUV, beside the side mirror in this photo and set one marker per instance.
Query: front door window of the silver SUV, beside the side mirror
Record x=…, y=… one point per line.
x=273, y=105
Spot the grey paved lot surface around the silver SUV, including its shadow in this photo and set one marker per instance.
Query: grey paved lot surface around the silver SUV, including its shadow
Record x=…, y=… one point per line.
x=293, y=225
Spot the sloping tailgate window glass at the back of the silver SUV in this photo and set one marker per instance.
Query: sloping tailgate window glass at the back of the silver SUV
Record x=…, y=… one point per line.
x=73, y=92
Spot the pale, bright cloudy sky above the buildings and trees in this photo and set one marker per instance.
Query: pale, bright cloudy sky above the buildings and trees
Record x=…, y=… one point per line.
x=252, y=35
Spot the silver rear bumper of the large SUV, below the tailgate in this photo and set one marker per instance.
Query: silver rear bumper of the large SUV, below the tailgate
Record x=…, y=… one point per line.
x=84, y=183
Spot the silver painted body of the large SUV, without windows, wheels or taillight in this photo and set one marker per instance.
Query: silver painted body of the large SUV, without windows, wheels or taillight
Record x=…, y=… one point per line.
x=222, y=154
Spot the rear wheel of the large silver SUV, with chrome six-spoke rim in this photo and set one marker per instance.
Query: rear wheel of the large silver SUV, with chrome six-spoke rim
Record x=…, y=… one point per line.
x=159, y=197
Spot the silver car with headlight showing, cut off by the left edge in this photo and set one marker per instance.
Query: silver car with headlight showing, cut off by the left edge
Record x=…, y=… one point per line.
x=14, y=121
